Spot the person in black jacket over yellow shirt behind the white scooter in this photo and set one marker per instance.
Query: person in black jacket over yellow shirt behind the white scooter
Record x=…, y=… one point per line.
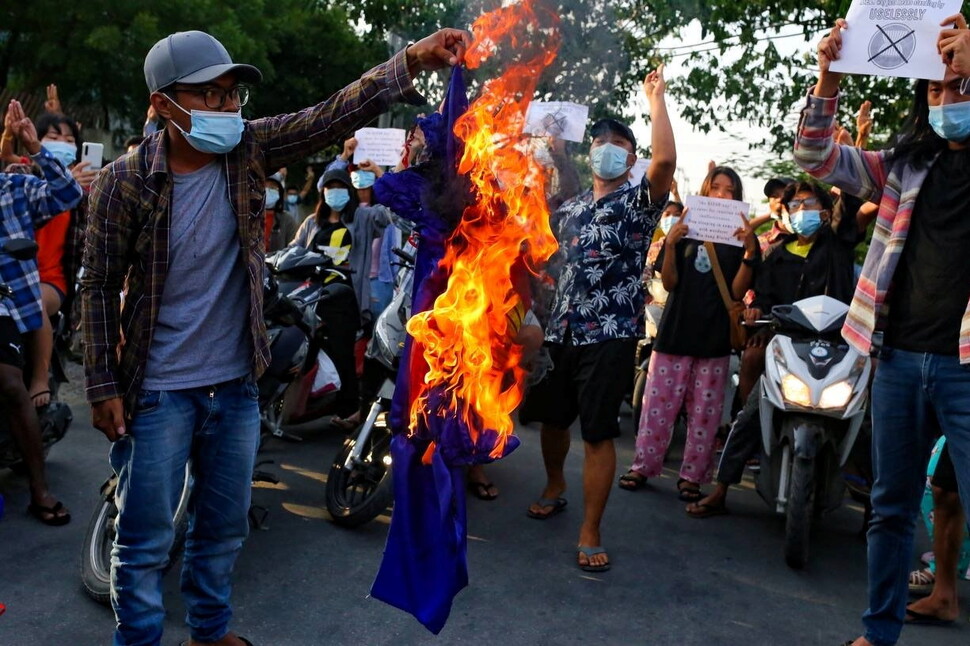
x=816, y=259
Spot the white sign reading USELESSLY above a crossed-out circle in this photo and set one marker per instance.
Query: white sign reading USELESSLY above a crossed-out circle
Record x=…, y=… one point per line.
x=894, y=38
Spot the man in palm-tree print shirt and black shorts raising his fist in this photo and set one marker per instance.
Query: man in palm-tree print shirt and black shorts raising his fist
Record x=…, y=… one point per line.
x=597, y=313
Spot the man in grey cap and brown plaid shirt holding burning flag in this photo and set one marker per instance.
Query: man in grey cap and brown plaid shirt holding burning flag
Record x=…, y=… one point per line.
x=177, y=223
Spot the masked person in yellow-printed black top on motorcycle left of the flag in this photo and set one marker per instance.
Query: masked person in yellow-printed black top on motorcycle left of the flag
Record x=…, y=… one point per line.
x=326, y=231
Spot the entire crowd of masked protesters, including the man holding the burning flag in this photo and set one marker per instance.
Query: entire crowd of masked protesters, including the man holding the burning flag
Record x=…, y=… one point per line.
x=203, y=192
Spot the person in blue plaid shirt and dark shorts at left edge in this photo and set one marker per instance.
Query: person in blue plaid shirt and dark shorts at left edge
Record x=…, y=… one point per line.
x=26, y=203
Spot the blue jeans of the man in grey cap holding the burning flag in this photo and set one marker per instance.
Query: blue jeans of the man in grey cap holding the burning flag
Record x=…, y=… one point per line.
x=218, y=428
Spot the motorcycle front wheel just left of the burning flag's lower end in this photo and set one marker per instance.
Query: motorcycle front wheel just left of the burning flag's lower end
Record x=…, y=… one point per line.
x=359, y=494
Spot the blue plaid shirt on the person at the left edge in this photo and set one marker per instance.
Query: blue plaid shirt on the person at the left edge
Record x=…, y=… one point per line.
x=27, y=203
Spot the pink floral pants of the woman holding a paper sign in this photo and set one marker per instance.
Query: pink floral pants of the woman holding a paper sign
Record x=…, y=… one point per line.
x=672, y=382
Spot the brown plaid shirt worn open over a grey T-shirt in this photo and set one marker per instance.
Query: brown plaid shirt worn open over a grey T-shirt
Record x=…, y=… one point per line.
x=126, y=244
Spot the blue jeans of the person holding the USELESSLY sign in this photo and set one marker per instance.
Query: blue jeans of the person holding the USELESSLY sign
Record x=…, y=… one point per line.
x=908, y=389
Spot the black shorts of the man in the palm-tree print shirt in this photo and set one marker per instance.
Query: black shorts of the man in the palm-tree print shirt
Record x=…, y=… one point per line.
x=587, y=381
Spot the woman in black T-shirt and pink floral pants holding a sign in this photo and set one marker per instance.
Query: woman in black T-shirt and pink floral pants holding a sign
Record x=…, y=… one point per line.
x=689, y=364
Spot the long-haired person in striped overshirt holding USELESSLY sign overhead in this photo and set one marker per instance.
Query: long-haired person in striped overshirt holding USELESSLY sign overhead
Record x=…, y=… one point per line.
x=915, y=286
